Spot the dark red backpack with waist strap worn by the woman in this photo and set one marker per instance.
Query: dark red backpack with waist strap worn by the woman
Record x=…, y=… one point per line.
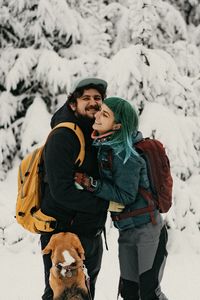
x=161, y=182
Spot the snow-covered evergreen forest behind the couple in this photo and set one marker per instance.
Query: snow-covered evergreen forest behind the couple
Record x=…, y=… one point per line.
x=147, y=50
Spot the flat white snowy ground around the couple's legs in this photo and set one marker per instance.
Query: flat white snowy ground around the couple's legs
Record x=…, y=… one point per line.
x=22, y=272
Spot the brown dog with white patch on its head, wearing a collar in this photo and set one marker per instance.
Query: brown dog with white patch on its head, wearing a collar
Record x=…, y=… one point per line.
x=67, y=274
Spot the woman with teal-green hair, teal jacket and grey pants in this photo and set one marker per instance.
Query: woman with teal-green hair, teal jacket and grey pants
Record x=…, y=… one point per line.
x=142, y=244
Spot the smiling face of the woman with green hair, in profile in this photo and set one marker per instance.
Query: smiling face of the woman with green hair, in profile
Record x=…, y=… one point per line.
x=104, y=120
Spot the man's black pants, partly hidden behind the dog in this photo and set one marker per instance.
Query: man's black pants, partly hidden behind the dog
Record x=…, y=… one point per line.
x=93, y=255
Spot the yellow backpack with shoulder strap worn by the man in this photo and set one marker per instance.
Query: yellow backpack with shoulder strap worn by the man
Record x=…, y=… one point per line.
x=28, y=212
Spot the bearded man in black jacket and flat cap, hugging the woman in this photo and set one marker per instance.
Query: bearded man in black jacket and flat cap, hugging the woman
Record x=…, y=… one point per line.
x=75, y=211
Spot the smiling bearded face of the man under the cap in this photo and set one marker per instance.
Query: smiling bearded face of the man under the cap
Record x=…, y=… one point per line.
x=88, y=104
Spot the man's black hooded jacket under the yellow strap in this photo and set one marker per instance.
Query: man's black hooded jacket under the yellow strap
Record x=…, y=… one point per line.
x=80, y=210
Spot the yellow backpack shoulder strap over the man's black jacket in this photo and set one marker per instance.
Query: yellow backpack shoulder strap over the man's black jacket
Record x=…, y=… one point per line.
x=80, y=136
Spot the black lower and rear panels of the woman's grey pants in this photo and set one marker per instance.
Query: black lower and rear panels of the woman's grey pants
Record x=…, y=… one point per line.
x=148, y=287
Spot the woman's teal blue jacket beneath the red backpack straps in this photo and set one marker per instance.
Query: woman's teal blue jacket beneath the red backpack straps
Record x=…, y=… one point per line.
x=120, y=182
